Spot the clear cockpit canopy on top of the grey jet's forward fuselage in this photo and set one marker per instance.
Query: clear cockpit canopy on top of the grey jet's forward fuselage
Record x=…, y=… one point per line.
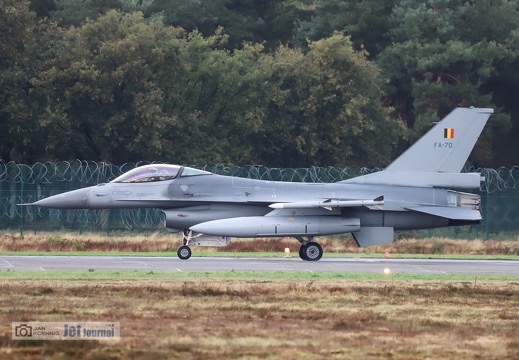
x=157, y=172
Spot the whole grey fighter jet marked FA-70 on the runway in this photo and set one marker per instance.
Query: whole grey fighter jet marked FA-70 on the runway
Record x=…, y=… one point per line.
x=411, y=193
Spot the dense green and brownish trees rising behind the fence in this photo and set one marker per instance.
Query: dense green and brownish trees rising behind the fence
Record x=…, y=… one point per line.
x=275, y=82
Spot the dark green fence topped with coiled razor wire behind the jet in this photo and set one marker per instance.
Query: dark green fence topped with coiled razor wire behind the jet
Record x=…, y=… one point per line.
x=21, y=183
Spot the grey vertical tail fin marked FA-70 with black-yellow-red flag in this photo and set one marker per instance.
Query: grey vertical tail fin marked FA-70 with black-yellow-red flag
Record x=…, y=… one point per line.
x=447, y=146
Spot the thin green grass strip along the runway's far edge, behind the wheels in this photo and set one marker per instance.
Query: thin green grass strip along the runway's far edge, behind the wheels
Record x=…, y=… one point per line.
x=261, y=255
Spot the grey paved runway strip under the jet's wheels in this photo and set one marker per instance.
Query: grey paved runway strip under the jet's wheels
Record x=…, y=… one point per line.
x=415, y=266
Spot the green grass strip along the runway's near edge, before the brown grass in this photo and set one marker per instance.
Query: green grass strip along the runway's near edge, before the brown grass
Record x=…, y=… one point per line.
x=233, y=275
